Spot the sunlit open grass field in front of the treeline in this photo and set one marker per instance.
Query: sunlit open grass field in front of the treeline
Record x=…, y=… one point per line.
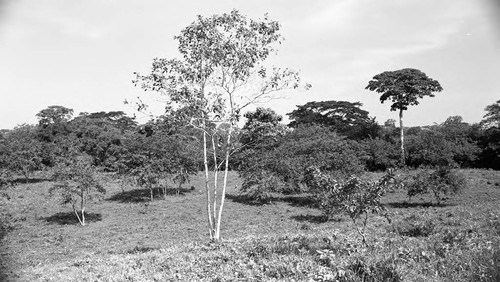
x=129, y=238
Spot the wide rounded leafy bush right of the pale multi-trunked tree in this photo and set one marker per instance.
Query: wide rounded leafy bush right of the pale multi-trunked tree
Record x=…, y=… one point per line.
x=285, y=160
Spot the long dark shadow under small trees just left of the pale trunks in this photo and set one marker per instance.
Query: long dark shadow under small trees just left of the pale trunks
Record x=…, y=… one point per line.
x=144, y=195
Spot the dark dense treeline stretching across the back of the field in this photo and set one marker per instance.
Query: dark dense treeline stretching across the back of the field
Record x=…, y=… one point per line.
x=333, y=134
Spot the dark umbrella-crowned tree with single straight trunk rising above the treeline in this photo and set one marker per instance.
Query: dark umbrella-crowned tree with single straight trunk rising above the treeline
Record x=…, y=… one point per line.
x=403, y=88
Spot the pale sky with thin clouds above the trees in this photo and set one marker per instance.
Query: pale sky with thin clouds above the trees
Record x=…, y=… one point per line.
x=82, y=54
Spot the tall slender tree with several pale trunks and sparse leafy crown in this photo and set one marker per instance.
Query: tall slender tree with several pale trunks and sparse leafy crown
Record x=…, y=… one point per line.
x=220, y=74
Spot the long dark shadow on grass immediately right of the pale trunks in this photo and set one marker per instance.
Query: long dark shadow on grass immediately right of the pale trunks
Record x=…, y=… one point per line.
x=293, y=200
